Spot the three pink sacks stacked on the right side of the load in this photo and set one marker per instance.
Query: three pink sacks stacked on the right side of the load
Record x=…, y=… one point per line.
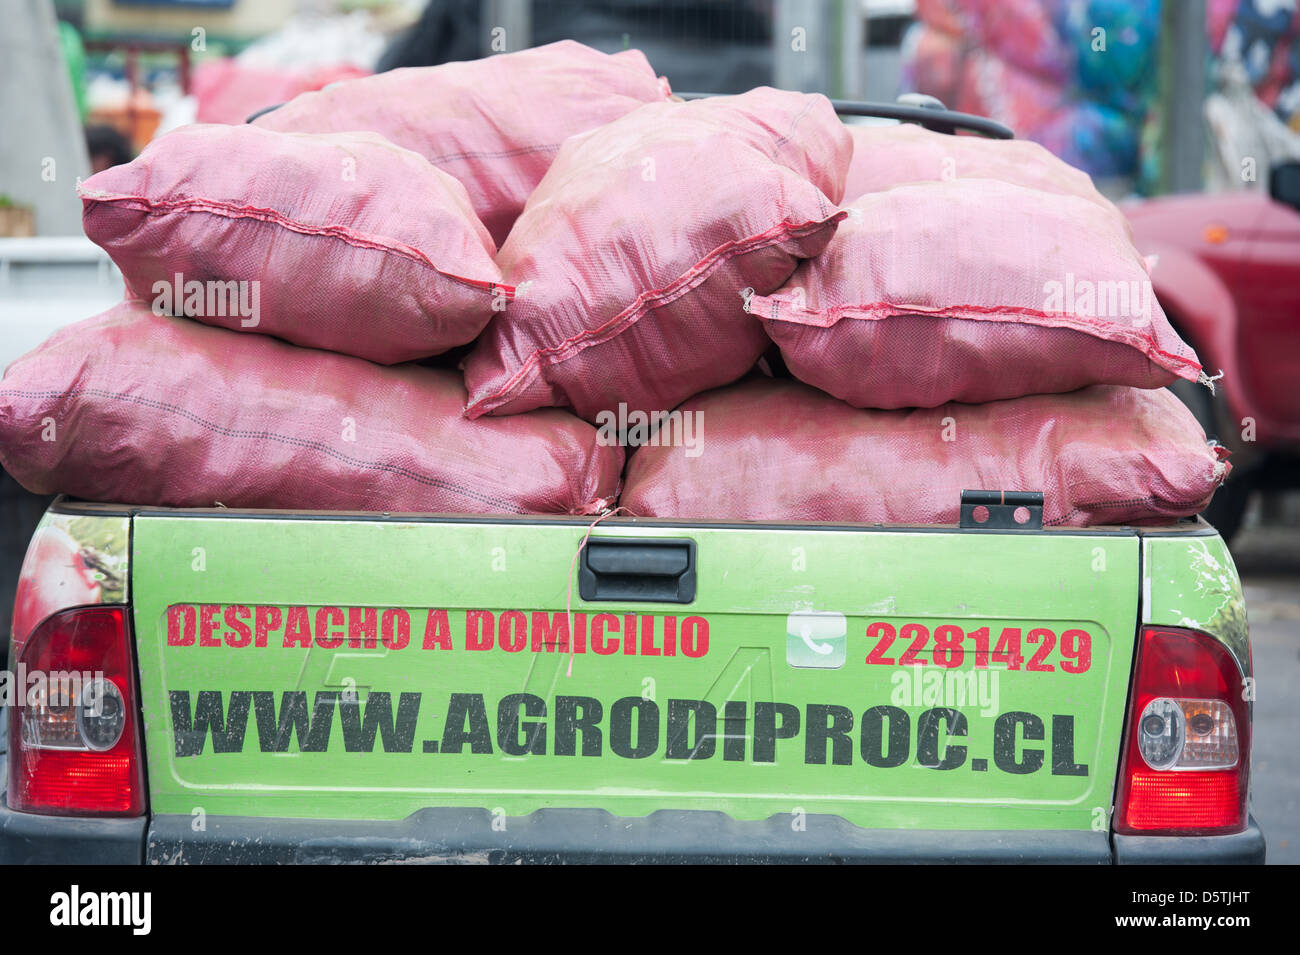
x=981, y=320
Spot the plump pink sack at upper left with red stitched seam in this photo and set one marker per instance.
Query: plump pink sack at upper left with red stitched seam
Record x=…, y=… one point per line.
x=343, y=242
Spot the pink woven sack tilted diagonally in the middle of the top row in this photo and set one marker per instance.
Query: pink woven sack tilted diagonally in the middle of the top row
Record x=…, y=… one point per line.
x=636, y=249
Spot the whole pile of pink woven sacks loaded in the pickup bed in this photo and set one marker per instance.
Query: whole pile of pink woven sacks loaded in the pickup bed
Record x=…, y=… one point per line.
x=289, y=281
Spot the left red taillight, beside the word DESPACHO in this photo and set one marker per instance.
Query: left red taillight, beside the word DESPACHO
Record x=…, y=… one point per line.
x=75, y=744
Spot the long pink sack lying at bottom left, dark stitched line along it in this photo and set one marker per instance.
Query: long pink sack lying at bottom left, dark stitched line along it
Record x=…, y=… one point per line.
x=138, y=409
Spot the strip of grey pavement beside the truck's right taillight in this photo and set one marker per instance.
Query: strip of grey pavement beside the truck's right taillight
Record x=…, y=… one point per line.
x=1268, y=558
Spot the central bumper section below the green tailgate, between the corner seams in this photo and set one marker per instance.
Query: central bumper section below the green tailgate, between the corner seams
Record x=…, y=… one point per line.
x=595, y=836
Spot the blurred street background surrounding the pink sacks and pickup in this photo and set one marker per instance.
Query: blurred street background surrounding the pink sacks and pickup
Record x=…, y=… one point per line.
x=1188, y=112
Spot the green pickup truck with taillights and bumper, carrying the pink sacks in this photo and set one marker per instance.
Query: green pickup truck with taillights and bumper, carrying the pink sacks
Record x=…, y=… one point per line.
x=274, y=687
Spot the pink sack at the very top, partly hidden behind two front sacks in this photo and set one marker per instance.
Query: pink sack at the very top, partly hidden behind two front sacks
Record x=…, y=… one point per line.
x=495, y=124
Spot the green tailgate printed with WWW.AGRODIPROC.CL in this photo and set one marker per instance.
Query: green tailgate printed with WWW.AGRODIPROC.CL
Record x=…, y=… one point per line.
x=366, y=670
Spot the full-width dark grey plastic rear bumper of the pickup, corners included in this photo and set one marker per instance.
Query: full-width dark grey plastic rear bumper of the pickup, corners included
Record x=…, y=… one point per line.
x=577, y=836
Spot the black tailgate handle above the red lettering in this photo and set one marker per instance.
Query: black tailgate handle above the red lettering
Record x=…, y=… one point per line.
x=653, y=570
